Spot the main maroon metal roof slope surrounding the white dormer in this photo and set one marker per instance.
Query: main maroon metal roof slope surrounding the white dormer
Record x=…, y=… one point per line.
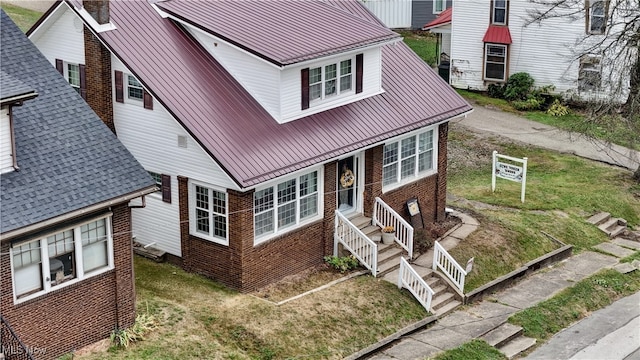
x=237, y=132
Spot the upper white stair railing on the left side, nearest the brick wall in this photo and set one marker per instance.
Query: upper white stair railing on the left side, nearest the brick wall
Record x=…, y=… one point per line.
x=354, y=240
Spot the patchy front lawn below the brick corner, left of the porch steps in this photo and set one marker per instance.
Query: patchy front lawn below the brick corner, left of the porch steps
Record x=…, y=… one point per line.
x=199, y=318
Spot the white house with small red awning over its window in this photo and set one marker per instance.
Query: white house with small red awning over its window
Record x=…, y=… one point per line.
x=488, y=41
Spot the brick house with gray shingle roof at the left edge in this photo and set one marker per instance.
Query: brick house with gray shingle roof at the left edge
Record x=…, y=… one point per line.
x=65, y=232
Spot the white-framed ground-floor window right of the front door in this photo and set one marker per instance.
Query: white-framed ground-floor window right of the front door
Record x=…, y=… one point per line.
x=409, y=158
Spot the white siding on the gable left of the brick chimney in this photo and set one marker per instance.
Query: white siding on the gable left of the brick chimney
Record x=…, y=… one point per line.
x=62, y=39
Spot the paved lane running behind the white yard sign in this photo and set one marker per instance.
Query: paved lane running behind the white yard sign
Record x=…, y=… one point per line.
x=514, y=127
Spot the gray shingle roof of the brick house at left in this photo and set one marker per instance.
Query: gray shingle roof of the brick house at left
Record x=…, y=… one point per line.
x=68, y=158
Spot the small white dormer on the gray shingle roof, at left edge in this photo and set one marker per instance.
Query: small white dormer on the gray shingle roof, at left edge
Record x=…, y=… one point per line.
x=12, y=93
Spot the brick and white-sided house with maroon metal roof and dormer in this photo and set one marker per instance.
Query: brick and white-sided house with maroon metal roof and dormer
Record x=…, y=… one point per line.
x=248, y=130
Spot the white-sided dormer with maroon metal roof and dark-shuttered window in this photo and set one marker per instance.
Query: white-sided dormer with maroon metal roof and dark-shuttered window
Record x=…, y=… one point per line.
x=296, y=58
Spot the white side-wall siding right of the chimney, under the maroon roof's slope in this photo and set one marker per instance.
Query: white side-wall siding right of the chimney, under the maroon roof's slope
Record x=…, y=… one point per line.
x=152, y=137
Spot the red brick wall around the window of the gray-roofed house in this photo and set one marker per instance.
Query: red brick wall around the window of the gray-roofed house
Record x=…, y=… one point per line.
x=80, y=314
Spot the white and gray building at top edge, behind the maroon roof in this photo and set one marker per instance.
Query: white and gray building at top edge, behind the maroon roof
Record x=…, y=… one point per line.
x=406, y=14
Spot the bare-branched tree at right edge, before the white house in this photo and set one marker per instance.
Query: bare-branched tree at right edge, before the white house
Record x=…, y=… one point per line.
x=612, y=35
